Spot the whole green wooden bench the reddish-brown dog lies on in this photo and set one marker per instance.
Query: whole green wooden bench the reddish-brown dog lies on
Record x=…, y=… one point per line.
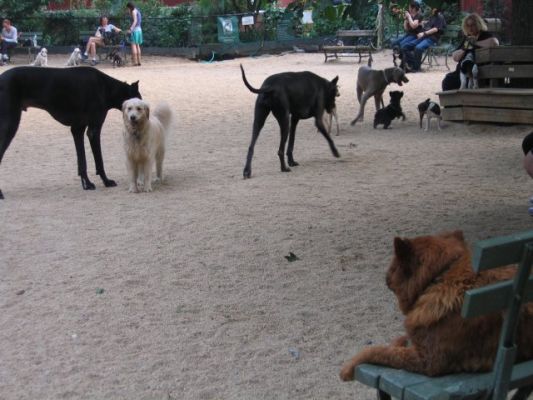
x=508, y=296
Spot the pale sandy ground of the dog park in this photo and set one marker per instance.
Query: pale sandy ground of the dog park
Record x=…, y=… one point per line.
x=198, y=300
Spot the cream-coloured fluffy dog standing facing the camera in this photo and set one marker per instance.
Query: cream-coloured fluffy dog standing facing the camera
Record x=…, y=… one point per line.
x=145, y=134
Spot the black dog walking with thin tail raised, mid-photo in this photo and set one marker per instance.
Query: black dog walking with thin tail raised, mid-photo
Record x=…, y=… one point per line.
x=291, y=96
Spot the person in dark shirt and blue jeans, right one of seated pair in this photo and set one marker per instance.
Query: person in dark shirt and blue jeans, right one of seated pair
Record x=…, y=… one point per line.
x=432, y=31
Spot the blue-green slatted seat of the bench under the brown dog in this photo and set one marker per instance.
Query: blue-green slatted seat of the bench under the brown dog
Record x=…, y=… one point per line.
x=412, y=386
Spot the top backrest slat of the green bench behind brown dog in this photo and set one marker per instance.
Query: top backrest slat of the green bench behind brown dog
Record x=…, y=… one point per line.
x=500, y=251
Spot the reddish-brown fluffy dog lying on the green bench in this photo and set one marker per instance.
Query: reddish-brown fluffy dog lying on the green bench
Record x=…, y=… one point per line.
x=429, y=275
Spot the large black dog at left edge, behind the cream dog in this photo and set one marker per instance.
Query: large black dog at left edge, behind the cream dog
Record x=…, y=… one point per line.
x=76, y=97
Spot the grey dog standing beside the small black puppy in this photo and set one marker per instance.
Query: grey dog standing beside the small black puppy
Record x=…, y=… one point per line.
x=372, y=82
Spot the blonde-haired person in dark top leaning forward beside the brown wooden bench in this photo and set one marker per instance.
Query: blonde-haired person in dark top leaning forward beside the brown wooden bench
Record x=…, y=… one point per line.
x=476, y=36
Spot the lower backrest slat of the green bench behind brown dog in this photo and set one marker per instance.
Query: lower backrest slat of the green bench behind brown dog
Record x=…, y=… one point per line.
x=492, y=298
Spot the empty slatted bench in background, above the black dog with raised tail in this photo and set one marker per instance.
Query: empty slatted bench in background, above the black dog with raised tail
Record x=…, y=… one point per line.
x=364, y=46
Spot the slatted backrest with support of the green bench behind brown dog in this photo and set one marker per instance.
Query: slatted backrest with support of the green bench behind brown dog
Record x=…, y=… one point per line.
x=508, y=296
